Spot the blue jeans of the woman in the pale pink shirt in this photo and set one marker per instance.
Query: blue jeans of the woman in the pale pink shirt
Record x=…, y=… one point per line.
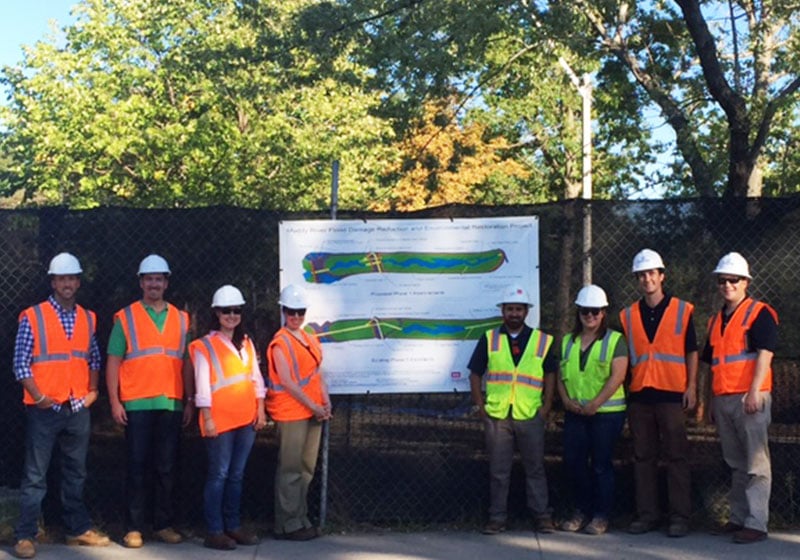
x=222, y=496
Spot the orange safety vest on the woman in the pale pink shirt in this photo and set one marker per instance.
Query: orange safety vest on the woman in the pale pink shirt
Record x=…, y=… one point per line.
x=233, y=392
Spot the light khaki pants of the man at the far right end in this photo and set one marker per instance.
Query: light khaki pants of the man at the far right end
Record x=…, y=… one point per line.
x=745, y=448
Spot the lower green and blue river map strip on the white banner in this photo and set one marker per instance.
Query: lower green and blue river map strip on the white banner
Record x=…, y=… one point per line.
x=427, y=329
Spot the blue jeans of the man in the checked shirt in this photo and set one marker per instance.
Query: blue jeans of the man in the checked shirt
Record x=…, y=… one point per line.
x=70, y=431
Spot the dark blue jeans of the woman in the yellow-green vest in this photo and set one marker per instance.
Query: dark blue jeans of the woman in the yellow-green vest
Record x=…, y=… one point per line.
x=588, y=453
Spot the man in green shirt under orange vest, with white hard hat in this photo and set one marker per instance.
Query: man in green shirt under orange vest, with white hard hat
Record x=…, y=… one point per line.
x=145, y=388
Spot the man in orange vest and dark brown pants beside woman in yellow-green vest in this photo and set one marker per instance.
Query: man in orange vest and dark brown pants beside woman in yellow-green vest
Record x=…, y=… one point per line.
x=662, y=352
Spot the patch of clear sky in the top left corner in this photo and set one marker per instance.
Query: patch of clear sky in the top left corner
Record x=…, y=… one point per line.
x=23, y=22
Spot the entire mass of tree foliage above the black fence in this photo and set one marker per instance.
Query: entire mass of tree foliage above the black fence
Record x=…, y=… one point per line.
x=248, y=102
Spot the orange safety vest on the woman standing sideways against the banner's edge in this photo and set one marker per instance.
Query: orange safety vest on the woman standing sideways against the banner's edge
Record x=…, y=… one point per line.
x=304, y=362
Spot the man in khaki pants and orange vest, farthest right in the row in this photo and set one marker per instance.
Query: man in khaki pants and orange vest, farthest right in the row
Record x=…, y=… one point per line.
x=741, y=342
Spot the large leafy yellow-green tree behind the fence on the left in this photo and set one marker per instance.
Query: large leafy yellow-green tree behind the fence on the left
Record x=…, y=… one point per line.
x=185, y=103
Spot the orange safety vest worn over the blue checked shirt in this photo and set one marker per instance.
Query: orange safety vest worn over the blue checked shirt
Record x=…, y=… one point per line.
x=60, y=365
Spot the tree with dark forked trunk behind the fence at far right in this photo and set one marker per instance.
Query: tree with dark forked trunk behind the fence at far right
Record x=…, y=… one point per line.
x=748, y=74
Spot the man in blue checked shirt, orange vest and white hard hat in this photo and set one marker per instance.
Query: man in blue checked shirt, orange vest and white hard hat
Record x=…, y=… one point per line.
x=57, y=361
